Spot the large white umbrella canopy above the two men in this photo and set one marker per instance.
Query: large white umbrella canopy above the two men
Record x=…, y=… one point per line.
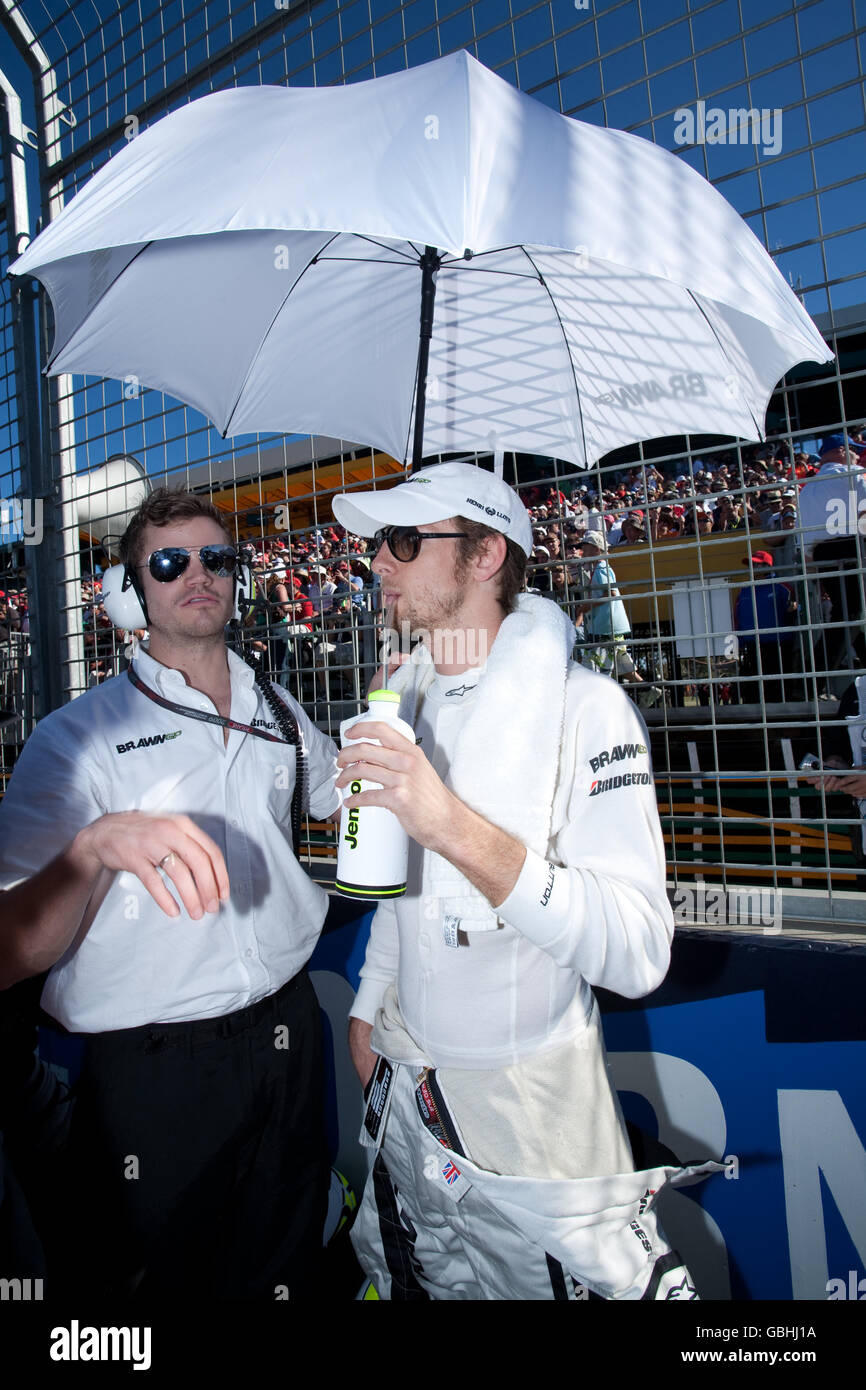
x=259, y=255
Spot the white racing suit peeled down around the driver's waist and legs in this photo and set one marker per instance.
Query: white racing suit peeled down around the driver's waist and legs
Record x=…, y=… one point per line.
x=436, y=1225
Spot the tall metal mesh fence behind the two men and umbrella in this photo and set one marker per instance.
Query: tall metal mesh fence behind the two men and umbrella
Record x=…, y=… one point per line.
x=739, y=669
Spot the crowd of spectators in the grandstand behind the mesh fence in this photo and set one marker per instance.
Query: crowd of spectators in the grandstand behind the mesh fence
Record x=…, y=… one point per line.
x=315, y=591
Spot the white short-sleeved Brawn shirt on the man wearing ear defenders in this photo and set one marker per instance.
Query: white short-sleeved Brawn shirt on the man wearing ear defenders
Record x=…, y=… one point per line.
x=115, y=750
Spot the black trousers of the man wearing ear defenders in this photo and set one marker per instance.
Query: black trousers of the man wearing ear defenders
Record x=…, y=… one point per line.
x=198, y=1163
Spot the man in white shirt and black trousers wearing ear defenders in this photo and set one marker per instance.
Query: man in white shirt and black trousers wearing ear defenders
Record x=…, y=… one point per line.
x=149, y=869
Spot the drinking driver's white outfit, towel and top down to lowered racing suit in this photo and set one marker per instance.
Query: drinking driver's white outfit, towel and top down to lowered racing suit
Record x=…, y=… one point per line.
x=505, y=1171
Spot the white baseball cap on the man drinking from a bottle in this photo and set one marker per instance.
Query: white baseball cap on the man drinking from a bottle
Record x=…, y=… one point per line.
x=447, y=490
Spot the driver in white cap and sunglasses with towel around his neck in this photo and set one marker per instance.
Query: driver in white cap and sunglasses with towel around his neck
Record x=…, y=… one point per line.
x=537, y=872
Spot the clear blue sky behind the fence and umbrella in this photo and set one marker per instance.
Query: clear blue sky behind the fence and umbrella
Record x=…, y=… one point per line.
x=646, y=76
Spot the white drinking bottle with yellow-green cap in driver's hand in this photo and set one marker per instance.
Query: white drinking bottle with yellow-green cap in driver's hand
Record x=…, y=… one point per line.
x=373, y=851
